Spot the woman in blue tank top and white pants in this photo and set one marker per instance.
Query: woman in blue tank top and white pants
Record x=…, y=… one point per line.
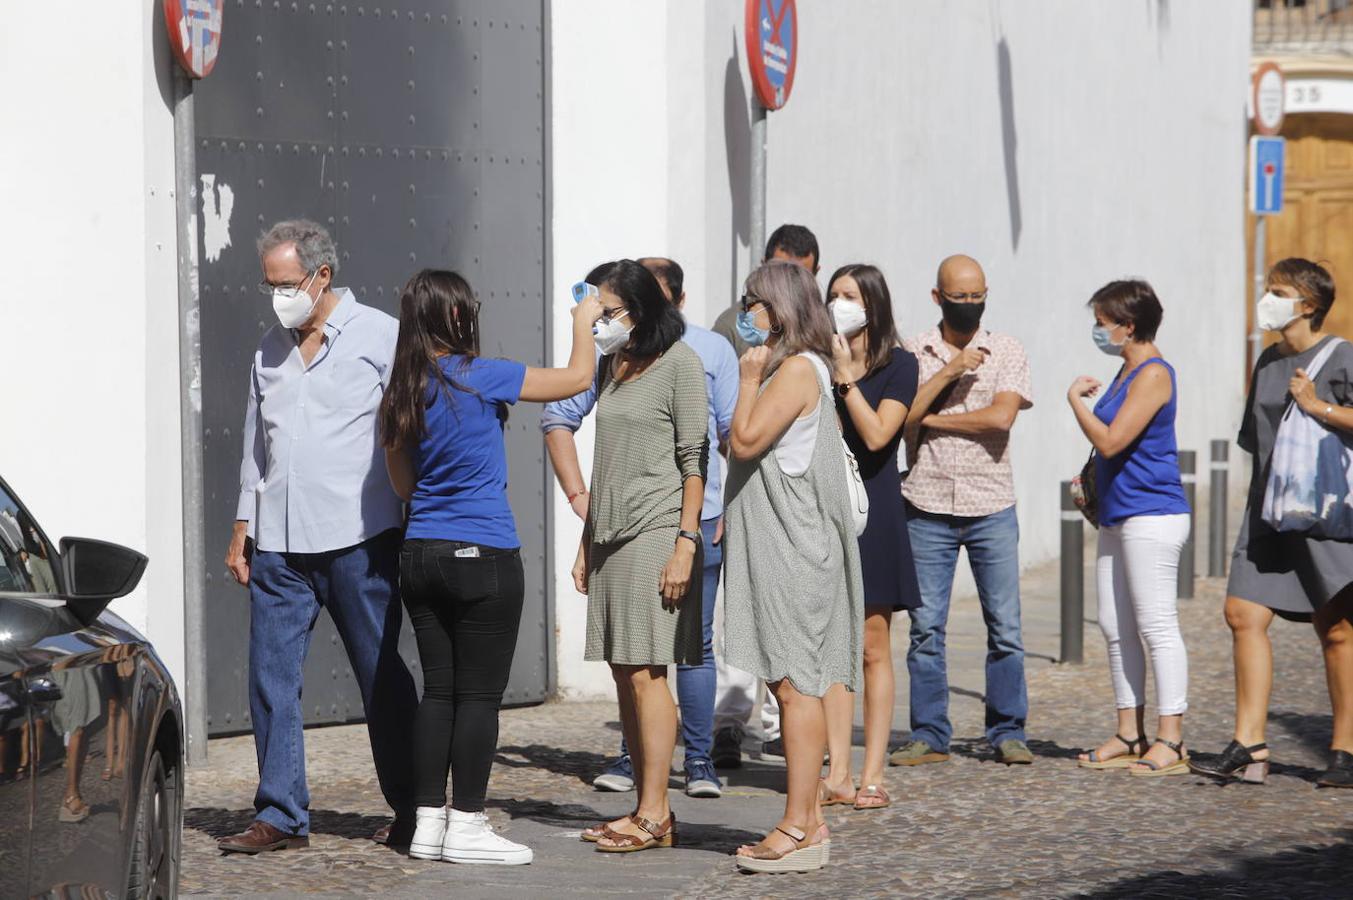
x=1144, y=524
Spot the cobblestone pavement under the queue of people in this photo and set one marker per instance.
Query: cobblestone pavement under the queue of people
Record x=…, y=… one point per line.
x=969, y=828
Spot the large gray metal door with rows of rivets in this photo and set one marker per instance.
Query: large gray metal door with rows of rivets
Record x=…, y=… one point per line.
x=415, y=131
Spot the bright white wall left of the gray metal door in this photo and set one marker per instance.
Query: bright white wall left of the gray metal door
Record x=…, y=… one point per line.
x=89, y=315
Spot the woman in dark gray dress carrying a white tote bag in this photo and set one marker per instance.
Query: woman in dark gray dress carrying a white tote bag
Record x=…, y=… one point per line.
x=1290, y=575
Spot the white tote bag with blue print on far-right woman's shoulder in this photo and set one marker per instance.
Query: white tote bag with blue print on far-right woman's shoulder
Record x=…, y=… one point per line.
x=1310, y=472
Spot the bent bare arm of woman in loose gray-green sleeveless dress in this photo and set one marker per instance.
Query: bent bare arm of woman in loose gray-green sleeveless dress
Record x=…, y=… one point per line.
x=761, y=419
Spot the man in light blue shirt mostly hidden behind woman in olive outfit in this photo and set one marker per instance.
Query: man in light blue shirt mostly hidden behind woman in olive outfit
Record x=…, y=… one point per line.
x=695, y=684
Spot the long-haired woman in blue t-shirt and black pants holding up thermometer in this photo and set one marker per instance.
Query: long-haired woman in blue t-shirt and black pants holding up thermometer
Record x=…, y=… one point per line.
x=461, y=570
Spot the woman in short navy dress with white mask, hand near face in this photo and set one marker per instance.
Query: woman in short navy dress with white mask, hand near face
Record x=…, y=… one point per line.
x=876, y=384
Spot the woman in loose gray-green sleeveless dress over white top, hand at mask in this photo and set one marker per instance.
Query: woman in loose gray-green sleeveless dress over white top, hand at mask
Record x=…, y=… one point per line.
x=794, y=600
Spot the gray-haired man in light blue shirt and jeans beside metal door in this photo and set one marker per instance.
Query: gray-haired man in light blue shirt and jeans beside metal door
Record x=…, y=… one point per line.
x=319, y=526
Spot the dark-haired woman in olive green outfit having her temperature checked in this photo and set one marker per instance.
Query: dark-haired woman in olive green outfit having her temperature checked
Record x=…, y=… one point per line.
x=643, y=542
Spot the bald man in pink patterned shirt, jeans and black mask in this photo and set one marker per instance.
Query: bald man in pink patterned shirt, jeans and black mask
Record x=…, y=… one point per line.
x=961, y=493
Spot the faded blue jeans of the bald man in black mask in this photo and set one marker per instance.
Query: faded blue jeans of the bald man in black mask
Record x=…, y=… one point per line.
x=992, y=545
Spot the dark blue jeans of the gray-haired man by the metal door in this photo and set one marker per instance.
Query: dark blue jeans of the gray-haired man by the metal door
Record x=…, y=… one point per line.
x=361, y=589
